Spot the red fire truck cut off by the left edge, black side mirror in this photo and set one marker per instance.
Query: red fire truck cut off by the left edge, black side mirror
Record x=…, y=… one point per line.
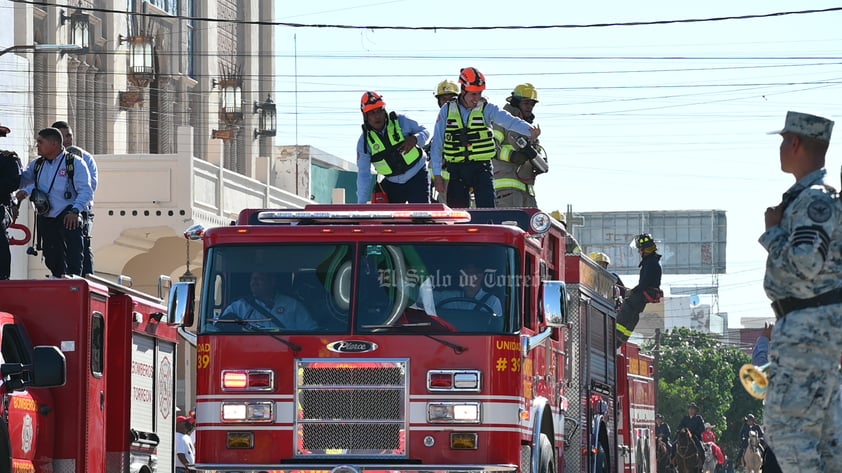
x=115, y=410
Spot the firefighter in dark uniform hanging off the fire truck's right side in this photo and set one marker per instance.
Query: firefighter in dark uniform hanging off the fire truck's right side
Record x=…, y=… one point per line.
x=648, y=289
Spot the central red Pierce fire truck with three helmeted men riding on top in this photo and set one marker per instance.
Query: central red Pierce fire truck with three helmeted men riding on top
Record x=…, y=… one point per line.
x=401, y=338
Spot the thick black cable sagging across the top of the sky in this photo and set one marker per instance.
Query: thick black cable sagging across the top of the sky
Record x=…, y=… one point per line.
x=441, y=28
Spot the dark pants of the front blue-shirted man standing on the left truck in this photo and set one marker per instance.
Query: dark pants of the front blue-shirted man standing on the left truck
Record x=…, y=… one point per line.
x=62, y=248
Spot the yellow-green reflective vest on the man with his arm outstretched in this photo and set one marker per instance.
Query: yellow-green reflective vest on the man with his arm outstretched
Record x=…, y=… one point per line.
x=474, y=142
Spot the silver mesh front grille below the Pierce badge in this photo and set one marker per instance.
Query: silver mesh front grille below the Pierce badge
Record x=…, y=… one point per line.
x=351, y=407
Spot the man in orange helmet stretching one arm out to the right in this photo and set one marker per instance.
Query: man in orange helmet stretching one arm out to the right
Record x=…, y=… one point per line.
x=464, y=140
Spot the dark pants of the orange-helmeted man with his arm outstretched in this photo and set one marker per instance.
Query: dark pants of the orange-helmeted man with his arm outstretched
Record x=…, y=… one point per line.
x=467, y=175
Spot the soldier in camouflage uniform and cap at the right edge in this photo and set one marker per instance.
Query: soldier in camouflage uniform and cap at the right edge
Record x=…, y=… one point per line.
x=803, y=279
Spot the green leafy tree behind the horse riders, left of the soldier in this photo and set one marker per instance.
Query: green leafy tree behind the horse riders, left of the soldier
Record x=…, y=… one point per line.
x=697, y=367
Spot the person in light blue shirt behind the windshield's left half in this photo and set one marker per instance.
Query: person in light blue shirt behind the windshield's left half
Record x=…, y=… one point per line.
x=268, y=309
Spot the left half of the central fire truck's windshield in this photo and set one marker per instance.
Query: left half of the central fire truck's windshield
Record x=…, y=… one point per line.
x=275, y=288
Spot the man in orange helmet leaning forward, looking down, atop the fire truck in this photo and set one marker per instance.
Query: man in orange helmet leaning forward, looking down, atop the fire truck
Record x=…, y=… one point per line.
x=392, y=143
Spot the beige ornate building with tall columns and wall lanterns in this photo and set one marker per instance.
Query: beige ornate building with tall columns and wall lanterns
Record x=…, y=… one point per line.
x=170, y=102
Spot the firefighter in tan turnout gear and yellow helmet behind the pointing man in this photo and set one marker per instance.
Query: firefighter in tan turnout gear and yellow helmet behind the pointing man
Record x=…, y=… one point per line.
x=517, y=162
